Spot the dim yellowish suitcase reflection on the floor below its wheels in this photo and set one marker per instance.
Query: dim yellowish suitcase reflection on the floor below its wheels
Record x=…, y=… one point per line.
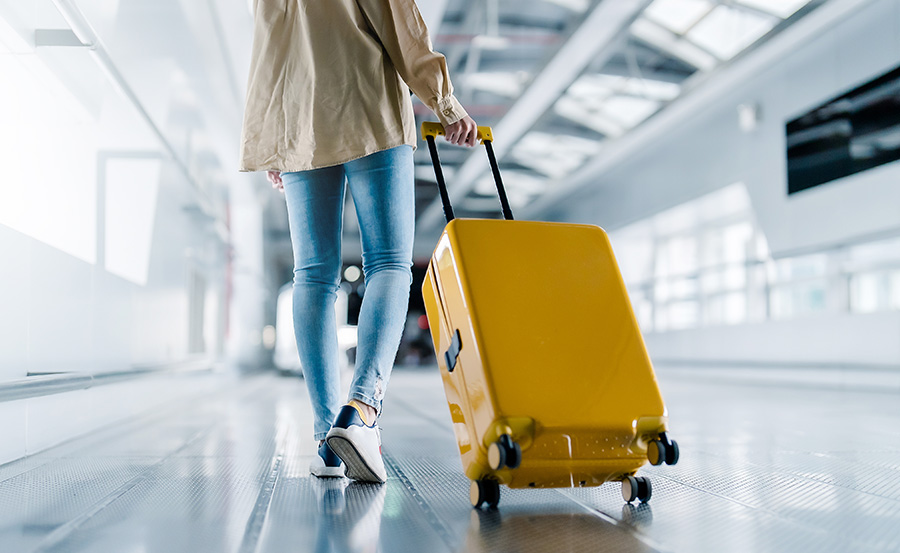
x=493, y=530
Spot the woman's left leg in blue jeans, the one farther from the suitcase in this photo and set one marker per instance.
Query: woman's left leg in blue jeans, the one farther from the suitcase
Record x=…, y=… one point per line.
x=315, y=201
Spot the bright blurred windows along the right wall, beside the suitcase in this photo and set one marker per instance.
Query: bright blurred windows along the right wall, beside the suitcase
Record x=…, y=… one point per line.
x=706, y=262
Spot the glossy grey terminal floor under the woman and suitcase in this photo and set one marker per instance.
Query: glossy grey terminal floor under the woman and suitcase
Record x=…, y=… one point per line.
x=762, y=469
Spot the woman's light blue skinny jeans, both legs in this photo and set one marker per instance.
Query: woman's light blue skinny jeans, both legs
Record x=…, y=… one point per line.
x=383, y=189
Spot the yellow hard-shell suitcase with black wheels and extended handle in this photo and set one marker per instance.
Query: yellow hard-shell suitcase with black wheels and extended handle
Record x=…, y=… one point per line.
x=545, y=371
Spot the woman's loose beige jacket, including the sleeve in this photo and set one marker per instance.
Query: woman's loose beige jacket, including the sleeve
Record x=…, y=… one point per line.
x=328, y=82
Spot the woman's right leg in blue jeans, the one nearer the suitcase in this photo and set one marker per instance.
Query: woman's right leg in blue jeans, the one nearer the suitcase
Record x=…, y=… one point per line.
x=383, y=188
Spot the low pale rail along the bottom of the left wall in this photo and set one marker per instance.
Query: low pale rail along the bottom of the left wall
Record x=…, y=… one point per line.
x=45, y=384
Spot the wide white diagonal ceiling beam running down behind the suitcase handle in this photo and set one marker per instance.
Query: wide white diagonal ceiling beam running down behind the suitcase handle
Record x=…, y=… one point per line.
x=594, y=38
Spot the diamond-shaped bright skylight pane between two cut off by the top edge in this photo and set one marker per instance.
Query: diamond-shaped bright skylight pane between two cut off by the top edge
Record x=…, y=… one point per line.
x=726, y=31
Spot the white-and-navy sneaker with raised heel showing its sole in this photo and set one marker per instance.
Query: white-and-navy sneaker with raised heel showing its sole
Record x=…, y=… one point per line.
x=358, y=445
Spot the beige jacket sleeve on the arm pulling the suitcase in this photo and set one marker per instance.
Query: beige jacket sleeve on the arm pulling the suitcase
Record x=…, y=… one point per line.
x=401, y=30
